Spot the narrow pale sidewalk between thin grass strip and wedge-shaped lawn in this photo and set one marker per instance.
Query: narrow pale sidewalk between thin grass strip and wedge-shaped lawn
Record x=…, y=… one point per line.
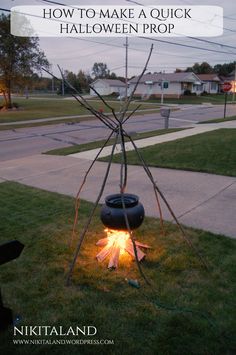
x=146, y=142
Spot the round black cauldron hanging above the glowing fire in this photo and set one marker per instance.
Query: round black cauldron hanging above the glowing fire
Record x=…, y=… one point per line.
x=113, y=214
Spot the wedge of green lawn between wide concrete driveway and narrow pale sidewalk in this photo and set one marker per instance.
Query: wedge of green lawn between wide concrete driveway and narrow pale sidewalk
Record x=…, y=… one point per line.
x=211, y=152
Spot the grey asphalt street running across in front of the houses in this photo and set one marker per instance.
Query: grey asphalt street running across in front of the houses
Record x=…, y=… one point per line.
x=23, y=142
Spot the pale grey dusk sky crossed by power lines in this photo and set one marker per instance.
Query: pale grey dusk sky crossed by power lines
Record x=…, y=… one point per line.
x=77, y=53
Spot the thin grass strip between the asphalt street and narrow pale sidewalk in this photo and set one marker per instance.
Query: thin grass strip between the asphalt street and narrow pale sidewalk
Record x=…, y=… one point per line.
x=98, y=144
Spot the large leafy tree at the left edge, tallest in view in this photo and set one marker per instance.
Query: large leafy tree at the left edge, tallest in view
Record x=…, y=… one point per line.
x=19, y=56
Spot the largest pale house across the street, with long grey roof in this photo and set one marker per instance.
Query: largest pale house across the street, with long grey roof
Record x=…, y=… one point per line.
x=173, y=85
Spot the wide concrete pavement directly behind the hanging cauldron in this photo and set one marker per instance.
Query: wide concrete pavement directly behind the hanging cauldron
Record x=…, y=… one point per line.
x=200, y=200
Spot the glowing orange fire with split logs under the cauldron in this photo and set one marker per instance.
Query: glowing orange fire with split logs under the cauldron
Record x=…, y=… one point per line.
x=118, y=243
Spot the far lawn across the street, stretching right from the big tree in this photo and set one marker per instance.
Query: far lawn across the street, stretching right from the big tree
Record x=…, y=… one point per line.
x=33, y=109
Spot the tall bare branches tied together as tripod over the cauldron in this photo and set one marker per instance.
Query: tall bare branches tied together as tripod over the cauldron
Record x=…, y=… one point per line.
x=118, y=132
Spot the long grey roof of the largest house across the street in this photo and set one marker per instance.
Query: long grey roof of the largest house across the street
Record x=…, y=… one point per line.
x=173, y=77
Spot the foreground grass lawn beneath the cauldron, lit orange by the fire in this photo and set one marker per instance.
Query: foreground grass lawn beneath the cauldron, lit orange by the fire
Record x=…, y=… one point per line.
x=34, y=285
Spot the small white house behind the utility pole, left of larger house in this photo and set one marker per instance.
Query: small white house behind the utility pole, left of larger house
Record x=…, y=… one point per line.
x=108, y=87
